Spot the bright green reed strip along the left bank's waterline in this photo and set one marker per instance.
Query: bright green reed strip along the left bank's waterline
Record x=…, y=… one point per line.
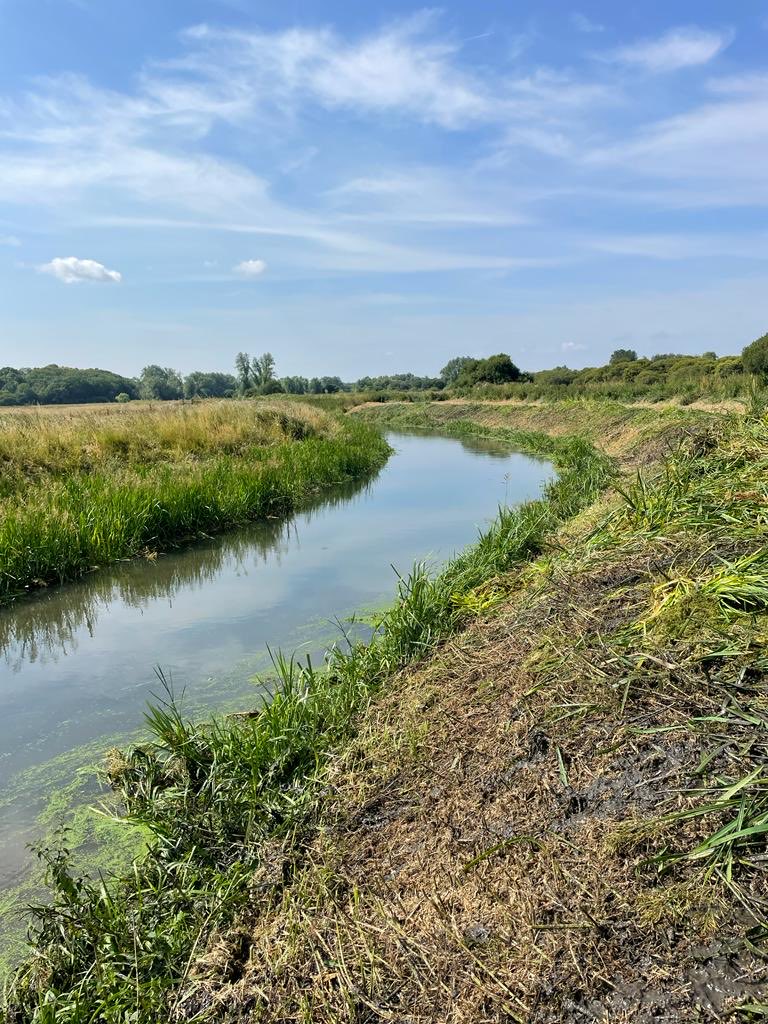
x=61, y=530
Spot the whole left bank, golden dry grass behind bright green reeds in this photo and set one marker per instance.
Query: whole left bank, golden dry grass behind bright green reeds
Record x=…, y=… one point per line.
x=84, y=489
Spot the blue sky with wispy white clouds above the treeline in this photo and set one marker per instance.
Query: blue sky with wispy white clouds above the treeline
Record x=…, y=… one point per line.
x=374, y=189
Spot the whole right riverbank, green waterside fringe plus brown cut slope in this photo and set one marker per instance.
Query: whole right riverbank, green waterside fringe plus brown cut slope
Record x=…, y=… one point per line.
x=538, y=796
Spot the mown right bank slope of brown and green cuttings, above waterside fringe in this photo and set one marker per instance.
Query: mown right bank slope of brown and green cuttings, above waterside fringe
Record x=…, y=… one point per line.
x=562, y=816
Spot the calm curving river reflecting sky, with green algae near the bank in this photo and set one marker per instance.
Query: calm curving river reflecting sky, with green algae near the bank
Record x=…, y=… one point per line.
x=78, y=663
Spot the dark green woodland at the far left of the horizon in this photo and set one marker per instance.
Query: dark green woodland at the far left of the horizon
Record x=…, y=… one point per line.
x=62, y=386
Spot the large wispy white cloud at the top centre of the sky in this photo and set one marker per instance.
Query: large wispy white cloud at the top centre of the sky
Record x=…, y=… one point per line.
x=407, y=69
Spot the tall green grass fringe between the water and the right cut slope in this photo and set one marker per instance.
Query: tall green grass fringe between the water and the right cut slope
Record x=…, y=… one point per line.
x=211, y=795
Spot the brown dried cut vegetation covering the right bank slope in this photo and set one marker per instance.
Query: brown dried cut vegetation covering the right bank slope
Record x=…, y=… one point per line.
x=488, y=847
